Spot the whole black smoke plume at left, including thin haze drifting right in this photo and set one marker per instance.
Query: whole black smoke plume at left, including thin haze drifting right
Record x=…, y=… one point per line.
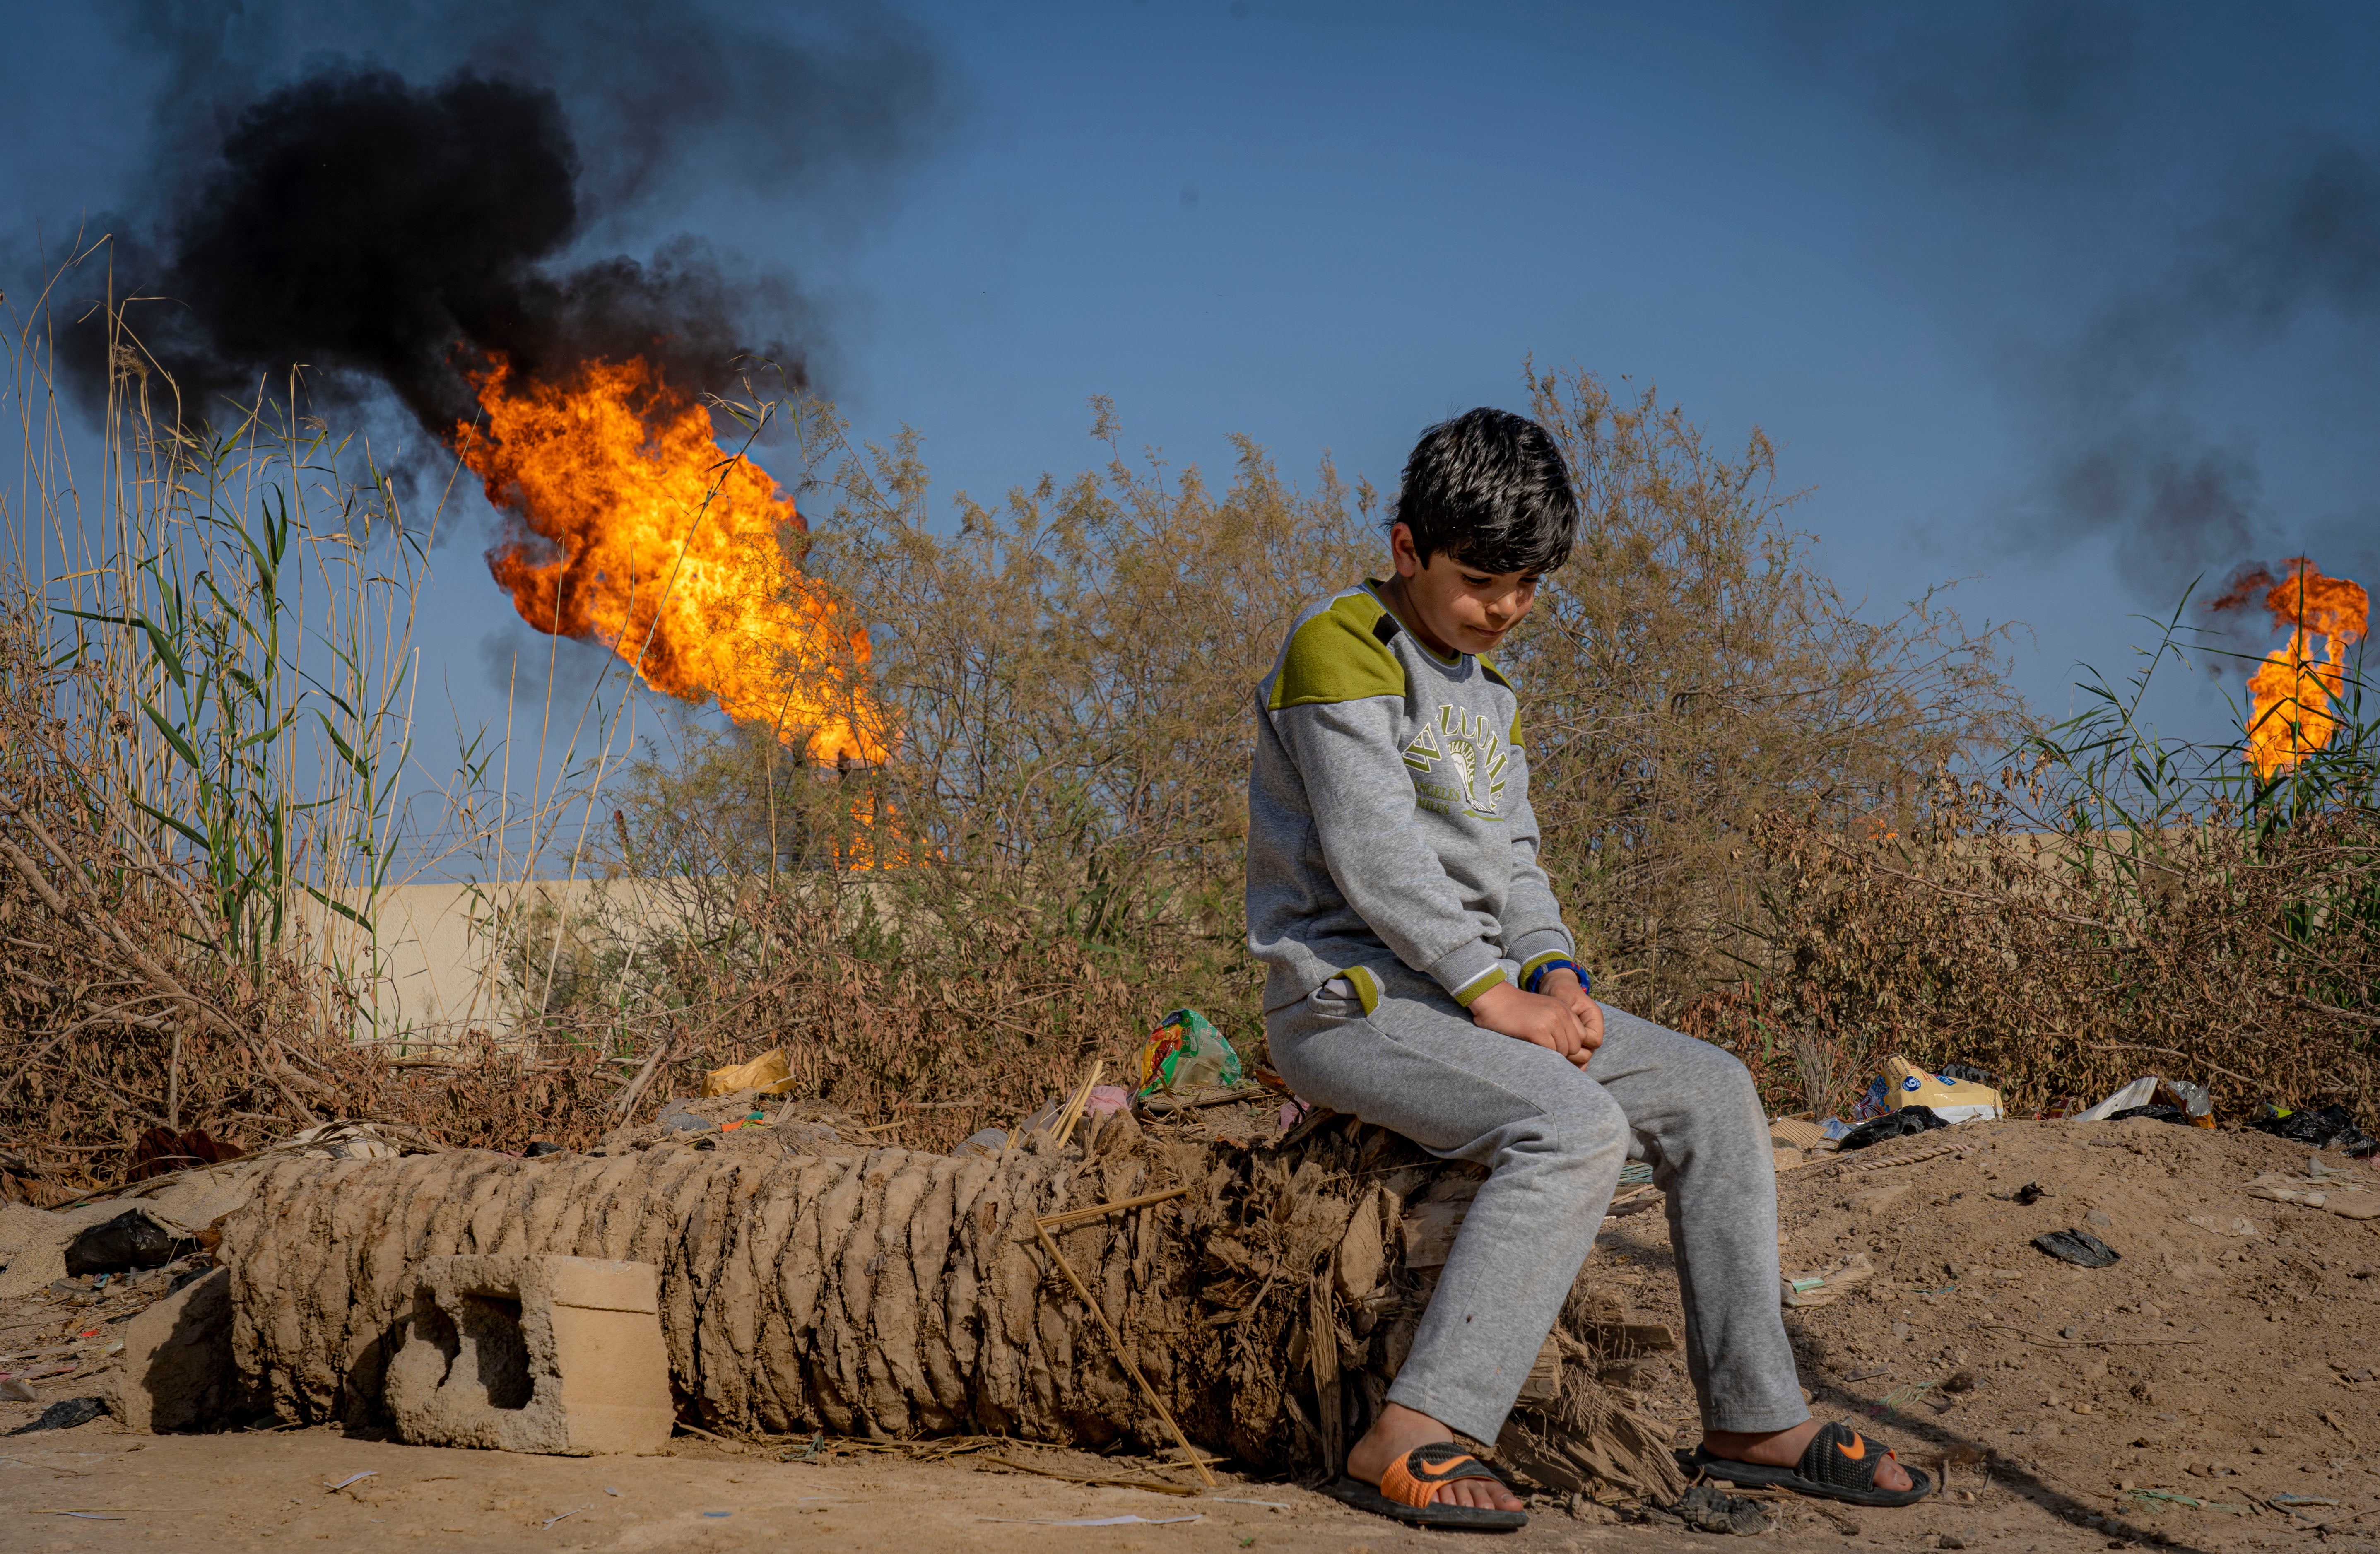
x=399, y=230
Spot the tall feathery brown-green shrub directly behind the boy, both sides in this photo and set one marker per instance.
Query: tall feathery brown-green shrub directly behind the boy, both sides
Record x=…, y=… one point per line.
x=1053, y=858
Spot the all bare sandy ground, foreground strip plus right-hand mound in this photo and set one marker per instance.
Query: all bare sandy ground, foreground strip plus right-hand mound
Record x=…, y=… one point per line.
x=2210, y=1391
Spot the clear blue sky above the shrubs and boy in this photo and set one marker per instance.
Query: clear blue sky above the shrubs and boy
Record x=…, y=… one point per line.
x=1946, y=256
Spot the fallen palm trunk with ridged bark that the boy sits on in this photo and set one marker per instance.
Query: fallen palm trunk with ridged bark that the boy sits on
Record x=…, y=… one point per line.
x=889, y=1293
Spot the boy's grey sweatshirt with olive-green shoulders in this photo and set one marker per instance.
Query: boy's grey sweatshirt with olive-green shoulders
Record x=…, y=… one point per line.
x=1389, y=815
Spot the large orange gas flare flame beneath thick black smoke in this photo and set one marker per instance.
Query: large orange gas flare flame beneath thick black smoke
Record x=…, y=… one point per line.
x=668, y=551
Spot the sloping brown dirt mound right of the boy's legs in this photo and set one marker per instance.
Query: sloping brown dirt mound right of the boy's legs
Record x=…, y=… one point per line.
x=2229, y=1358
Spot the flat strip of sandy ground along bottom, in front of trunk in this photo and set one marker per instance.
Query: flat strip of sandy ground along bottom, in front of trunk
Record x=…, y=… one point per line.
x=273, y=1491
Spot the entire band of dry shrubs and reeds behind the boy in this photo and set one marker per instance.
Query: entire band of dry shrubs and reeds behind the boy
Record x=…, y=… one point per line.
x=1739, y=777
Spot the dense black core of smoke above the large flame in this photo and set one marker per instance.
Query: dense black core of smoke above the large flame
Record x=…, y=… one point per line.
x=384, y=232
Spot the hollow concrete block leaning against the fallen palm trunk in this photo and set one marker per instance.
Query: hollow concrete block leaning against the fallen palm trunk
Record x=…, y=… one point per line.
x=556, y=1355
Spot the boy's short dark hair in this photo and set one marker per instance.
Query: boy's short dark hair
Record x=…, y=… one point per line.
x=1491, y=491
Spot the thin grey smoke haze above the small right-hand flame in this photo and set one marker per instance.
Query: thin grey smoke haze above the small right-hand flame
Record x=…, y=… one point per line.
x=2074, y=108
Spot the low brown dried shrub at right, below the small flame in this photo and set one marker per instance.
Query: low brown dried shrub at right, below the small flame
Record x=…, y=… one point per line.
x=2115, y=906
